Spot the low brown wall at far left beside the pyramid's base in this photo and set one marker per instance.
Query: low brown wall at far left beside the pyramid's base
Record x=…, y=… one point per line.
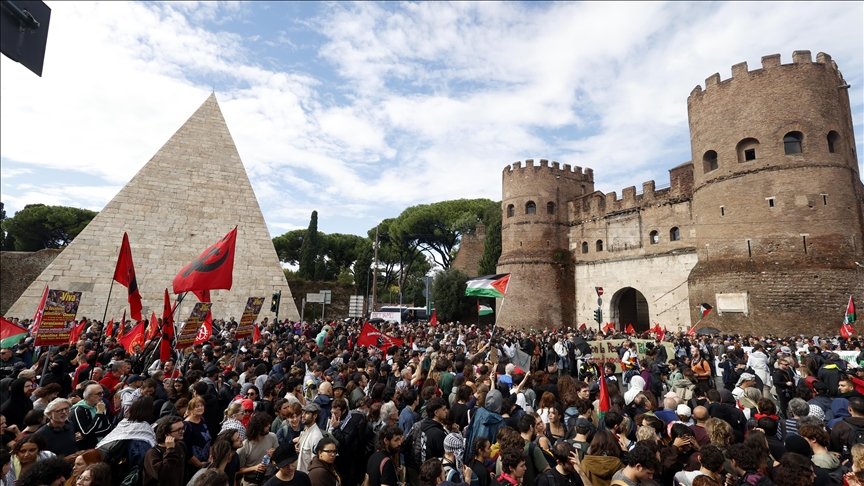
x=18, y=269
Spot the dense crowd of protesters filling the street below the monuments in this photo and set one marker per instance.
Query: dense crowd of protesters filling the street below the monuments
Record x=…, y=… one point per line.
x=305, y=405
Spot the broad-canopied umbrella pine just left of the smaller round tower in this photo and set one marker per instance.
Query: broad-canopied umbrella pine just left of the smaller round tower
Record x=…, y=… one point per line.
x=437, y=228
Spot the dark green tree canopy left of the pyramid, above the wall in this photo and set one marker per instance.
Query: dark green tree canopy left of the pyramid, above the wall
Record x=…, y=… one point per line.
x=38, y=226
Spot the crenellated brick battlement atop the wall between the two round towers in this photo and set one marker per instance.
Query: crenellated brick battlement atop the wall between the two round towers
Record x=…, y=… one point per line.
x=599, y=205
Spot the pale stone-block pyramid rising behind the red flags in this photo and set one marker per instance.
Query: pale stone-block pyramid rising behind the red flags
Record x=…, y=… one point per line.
x=189, y=195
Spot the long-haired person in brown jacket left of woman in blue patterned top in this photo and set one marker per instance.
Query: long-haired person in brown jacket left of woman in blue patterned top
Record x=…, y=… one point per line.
x=166, y=462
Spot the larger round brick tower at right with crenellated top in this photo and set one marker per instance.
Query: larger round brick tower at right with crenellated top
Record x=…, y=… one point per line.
x=777, y=199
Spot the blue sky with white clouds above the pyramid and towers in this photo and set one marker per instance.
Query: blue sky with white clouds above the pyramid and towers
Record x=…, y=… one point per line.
x=361, y=110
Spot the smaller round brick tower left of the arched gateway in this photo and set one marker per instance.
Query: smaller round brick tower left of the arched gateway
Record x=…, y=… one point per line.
x=535, y=242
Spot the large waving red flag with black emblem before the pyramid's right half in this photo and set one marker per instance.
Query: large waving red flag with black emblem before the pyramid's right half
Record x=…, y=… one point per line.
x=213, y=269
